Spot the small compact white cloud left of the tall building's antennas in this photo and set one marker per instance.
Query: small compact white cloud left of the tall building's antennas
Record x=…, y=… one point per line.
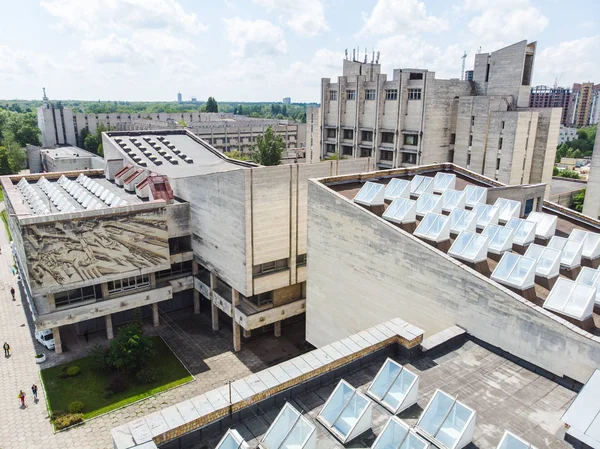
x=253, y=38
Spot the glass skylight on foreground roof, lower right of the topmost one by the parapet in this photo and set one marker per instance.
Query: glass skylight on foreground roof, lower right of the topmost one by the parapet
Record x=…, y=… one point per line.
x=447, y=422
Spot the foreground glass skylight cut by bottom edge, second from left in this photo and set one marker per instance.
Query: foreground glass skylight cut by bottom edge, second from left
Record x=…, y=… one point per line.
x=289, y=430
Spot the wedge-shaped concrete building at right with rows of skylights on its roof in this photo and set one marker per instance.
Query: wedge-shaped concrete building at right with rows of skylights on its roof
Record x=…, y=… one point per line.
x=364, y=268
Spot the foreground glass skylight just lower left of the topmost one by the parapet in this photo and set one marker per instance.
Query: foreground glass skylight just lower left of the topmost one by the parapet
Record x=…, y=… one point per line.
x=347, y=412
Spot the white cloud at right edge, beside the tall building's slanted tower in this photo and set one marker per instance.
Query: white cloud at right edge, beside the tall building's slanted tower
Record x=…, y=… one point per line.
x=572, y=61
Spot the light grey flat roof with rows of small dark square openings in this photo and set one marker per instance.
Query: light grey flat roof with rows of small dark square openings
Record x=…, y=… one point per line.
x=173, y=153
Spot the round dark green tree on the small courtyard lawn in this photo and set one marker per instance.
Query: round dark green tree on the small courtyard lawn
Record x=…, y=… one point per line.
x=130, y=350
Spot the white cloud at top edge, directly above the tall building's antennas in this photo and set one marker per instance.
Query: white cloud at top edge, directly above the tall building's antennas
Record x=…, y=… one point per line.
x=395, y=16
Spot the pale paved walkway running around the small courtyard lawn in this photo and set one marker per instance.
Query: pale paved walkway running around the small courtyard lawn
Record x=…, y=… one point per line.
x=207, y=355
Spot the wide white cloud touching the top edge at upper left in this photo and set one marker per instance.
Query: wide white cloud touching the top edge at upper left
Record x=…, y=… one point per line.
x=92, y=15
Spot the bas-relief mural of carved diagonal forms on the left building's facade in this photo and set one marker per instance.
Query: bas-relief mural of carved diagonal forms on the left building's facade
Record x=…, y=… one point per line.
x=79, y=250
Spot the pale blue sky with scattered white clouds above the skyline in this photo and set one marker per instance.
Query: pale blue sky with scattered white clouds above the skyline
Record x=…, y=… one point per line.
x=264, y=50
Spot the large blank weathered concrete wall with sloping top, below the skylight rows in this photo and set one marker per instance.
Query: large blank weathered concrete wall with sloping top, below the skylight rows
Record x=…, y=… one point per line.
x=362, y=270
